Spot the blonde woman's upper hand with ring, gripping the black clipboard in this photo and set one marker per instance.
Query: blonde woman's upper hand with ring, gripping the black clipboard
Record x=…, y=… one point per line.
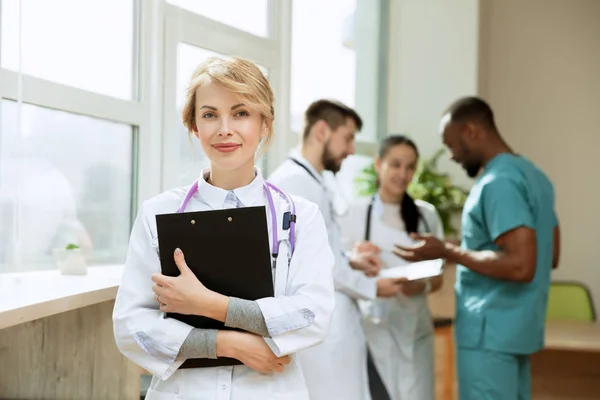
x=185, y=294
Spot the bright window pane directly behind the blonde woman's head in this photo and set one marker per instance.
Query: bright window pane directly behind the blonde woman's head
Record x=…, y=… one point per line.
x=190, y=156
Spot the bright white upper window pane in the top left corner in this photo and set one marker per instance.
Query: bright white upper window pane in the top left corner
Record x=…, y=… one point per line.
x=86, y=44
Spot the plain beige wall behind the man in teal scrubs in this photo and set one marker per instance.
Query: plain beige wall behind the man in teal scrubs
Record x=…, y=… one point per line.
x=540, y=69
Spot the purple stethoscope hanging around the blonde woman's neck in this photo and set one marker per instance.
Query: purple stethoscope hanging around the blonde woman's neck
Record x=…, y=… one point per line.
x=289, y=217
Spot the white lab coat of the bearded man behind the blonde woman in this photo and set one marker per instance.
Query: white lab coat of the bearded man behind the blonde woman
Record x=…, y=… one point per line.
x=336, y=369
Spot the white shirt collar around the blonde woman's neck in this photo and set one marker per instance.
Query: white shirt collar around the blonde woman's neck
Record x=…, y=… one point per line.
x=251, y=194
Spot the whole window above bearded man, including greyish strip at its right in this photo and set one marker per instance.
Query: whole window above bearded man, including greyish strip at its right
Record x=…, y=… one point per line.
x=343, y=59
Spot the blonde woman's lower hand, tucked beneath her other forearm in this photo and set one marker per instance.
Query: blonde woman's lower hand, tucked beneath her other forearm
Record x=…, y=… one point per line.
x=250, y=349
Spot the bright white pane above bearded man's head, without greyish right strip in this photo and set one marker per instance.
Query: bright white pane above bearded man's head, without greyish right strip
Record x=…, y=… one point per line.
x=323, y=62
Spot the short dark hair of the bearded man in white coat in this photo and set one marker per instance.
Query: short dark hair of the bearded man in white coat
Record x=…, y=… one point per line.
x=333, y=112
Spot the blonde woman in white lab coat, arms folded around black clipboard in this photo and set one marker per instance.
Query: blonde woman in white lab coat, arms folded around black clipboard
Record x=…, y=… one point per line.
x=229, y=109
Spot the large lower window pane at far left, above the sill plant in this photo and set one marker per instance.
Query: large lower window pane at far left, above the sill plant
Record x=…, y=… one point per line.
x=64, y=178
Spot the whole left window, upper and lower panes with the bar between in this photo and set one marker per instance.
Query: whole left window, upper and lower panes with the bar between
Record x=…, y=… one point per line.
x=70, y=123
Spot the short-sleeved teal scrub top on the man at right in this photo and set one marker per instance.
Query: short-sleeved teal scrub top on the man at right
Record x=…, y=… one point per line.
x=495, y=314
